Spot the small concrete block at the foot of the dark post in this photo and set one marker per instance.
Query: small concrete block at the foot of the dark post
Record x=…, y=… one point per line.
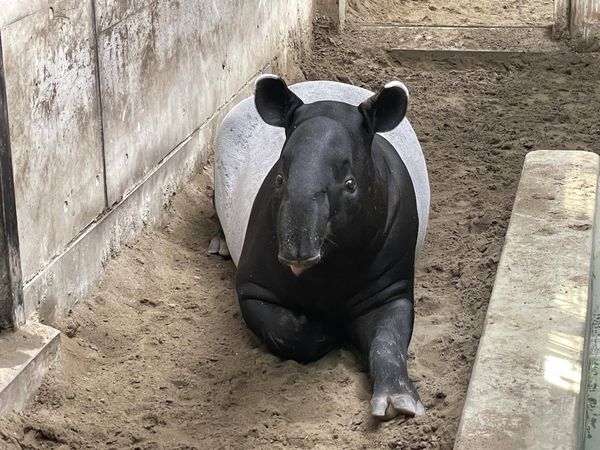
x=25, y=357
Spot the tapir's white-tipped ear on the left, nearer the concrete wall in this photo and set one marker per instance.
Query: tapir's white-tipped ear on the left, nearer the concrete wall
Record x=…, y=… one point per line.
x=274, y=101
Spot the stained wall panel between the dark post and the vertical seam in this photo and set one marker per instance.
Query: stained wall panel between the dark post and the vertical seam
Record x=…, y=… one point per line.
x=54, y=128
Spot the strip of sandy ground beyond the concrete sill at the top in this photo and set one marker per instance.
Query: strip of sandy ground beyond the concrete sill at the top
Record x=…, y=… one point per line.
x=454, y=12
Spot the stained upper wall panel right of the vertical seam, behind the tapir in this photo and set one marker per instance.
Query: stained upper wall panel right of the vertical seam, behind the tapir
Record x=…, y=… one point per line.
x=168, y=66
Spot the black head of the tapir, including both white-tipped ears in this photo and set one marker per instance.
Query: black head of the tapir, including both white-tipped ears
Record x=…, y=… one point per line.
x=325, y=178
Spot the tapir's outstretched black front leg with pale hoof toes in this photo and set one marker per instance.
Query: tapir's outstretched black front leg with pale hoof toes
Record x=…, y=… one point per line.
x=383, y=335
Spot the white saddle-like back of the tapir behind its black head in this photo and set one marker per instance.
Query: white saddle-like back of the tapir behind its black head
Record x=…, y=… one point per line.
x=247, y=148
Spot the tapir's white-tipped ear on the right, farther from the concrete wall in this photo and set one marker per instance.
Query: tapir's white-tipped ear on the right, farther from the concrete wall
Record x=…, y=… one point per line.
x=386, y=109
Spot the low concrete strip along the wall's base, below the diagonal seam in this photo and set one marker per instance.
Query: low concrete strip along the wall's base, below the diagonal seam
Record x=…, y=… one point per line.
x=71, y=275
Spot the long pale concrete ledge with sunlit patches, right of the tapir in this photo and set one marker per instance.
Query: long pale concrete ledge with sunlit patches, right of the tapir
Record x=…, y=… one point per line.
x=525, y=389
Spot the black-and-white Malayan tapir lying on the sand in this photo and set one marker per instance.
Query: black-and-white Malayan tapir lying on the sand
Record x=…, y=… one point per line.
x=322, y=192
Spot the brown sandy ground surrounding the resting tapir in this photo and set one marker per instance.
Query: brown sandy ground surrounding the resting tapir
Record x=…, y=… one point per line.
x=158, y=357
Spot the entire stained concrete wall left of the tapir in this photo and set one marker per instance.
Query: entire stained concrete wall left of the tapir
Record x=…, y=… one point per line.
x=113, y=104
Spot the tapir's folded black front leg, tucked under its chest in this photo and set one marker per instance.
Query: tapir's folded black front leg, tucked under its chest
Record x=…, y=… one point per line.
x=287, y=334
